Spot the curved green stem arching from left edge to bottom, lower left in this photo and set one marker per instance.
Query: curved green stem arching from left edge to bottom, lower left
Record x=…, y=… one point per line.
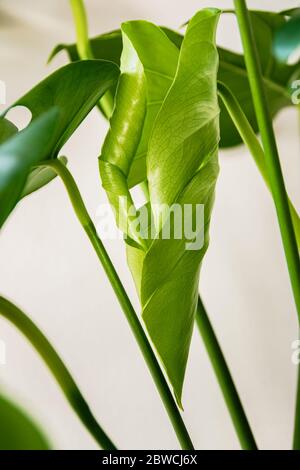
x=58, y=369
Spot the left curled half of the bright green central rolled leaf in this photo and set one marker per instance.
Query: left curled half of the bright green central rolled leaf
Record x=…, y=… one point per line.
x=143, y=85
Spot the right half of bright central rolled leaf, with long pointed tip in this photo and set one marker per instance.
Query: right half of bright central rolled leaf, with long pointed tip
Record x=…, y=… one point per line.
x=182, y=168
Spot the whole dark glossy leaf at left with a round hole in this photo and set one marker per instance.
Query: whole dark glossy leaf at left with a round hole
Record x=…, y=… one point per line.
x=73, y=90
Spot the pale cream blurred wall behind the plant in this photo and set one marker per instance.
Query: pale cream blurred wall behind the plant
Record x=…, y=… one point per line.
x=49, y=269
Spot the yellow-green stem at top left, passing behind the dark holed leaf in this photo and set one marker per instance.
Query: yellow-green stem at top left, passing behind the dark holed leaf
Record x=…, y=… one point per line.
x=85, y=51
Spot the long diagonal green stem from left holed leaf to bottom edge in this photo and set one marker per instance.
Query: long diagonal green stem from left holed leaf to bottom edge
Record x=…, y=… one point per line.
x=131, y=316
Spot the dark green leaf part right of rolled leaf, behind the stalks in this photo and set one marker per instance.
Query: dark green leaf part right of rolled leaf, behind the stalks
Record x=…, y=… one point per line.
x=233, y=74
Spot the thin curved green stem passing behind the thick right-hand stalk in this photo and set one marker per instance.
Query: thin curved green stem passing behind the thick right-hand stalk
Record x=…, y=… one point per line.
x=251, y=141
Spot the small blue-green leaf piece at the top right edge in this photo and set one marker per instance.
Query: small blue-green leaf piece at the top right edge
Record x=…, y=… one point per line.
x=287, y=39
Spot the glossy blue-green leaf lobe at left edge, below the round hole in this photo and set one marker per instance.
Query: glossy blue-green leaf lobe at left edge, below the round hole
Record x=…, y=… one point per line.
x=18, y=154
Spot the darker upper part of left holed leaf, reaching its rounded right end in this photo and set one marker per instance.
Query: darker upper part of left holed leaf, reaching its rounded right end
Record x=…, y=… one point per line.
x=75, y=89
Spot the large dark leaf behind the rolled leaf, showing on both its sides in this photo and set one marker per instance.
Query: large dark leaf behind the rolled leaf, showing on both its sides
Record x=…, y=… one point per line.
x=232, y=70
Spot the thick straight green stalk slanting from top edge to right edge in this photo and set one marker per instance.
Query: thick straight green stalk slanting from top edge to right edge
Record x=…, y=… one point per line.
x=272, y=164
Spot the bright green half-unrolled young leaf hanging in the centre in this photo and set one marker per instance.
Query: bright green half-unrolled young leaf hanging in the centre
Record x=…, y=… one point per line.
x=166, y=104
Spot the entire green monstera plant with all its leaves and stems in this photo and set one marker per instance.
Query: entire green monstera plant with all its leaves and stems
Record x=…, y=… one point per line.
x=172, y=100
